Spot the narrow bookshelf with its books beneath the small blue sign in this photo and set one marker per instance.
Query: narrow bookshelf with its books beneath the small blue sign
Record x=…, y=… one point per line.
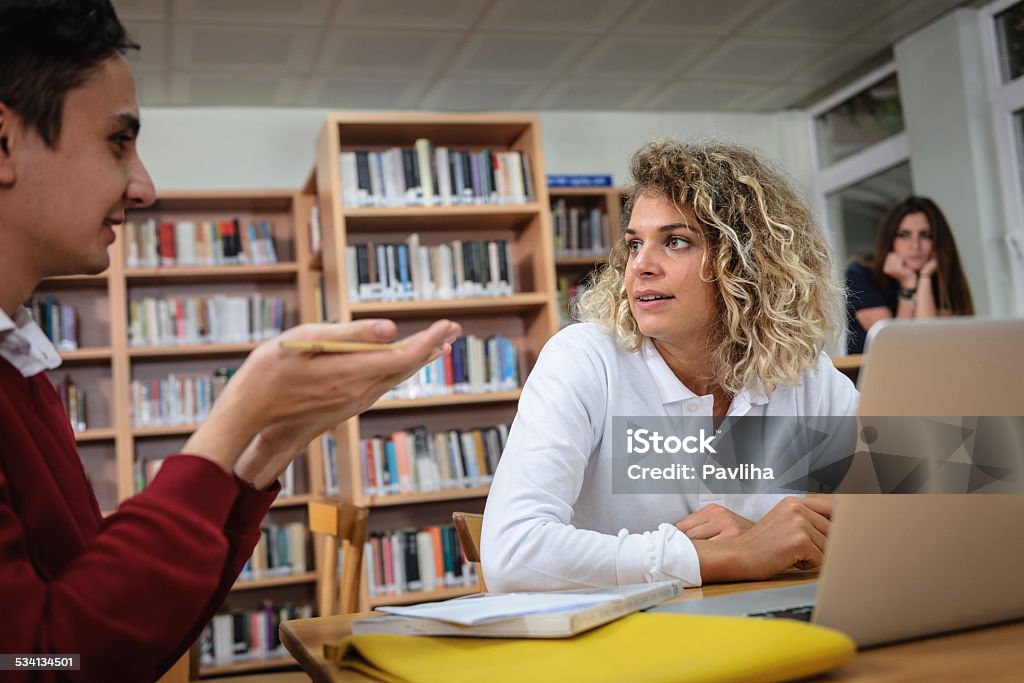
x=586, y=224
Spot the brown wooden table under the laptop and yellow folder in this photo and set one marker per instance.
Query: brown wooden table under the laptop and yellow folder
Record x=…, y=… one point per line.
x=988, y=655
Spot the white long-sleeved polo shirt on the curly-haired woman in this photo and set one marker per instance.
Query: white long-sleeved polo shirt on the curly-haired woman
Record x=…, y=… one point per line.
x=552, y=521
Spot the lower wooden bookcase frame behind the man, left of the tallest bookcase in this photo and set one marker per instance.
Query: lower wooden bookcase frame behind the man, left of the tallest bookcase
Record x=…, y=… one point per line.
x=106, y=363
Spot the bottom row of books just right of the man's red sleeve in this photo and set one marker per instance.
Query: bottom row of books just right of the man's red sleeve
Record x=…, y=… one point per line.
x=244, y=636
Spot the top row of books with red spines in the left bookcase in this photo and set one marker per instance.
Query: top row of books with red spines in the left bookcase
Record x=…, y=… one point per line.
x=153, y=244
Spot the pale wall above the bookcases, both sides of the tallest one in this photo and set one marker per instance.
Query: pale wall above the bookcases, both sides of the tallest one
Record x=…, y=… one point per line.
x=229, y=148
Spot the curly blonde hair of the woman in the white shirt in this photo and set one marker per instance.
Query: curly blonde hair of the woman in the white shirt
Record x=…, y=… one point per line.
x=778, y=303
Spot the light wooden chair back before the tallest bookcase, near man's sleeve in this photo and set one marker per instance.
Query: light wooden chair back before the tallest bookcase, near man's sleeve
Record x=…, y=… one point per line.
x=343, y=524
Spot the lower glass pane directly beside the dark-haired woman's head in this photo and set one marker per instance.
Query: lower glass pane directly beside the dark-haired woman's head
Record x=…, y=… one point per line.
x=856, y=211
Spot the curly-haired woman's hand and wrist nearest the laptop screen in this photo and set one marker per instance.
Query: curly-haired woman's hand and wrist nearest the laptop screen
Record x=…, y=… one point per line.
x=792, y=535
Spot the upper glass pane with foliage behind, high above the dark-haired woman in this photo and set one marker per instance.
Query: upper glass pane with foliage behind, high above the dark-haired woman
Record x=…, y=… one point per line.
x=869, y=117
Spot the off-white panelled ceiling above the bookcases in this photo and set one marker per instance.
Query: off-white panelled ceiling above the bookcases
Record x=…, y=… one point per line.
x=744, y=56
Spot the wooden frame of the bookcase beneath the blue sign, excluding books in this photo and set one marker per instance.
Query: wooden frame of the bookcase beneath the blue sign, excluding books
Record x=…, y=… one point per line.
x=574, y=267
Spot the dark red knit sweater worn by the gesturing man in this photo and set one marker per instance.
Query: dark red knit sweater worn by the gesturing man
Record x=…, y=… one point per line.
x=132, y=592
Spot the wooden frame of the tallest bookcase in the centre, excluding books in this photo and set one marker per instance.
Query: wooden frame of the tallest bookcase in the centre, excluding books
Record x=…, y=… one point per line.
x=528, y=318
